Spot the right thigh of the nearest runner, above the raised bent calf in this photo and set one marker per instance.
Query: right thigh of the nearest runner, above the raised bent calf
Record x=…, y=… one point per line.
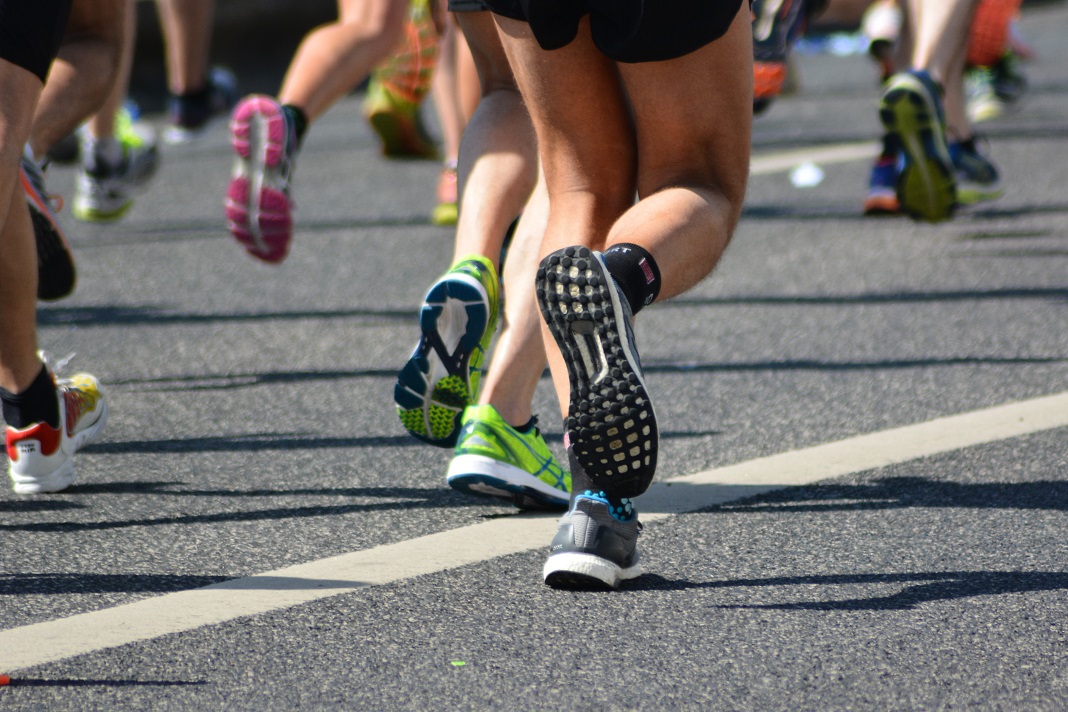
x=694, y=115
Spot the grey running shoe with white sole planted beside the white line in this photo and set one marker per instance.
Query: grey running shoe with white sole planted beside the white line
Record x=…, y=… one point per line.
x=596, y=545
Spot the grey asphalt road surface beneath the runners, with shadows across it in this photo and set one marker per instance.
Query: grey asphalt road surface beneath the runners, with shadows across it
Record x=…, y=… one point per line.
x=862, y=498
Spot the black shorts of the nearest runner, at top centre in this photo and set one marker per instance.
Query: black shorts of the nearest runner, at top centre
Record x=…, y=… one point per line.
x=625, y=30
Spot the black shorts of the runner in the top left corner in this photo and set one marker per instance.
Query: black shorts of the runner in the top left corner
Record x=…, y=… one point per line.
x=32, y=33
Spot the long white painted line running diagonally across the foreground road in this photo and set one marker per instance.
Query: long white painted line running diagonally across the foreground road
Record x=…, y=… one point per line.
x=174, y=613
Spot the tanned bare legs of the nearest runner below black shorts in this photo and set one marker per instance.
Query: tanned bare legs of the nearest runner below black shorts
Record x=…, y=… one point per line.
x=693, y=149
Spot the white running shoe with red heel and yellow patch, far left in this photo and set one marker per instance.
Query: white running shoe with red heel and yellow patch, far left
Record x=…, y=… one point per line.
x=41, y=458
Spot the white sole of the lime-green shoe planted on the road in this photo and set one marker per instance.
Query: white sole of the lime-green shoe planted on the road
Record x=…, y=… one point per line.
x=484, y=477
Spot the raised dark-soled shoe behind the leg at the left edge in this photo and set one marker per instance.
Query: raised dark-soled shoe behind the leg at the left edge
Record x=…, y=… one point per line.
x=56, y=272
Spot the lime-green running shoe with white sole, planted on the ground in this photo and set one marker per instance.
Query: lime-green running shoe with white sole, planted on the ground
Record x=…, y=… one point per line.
x=494, y=460
